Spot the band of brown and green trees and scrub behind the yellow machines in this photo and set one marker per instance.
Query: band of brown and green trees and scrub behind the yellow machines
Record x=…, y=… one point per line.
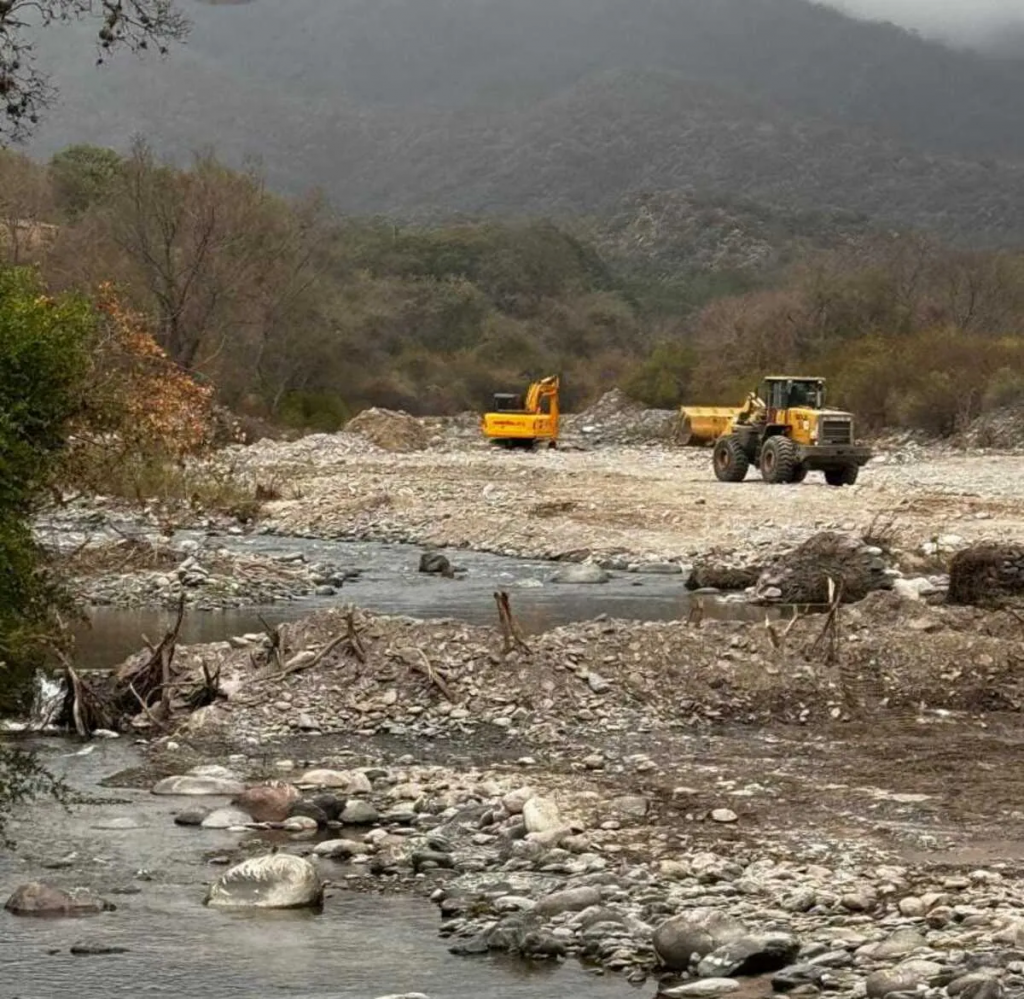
x=300, y=318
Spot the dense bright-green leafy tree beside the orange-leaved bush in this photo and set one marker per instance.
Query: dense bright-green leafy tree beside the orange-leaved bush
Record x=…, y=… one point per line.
x=45, y=344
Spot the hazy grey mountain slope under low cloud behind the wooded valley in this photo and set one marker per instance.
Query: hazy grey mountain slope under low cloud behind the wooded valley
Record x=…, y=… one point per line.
x=561, y=107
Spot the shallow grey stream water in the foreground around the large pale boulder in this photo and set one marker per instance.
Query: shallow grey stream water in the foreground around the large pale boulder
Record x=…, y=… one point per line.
x=360, y=947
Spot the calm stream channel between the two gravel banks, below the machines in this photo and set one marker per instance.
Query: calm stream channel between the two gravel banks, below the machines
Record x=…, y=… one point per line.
x=391, y=584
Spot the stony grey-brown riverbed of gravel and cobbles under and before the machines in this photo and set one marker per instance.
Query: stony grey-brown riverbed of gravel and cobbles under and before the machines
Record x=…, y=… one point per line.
x=816, y=803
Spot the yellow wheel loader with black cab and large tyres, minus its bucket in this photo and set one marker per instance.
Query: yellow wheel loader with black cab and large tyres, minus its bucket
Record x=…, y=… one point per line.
x=786, y=431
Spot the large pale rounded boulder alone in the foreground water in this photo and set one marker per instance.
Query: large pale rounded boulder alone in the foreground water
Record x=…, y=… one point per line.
x=272, y=882
